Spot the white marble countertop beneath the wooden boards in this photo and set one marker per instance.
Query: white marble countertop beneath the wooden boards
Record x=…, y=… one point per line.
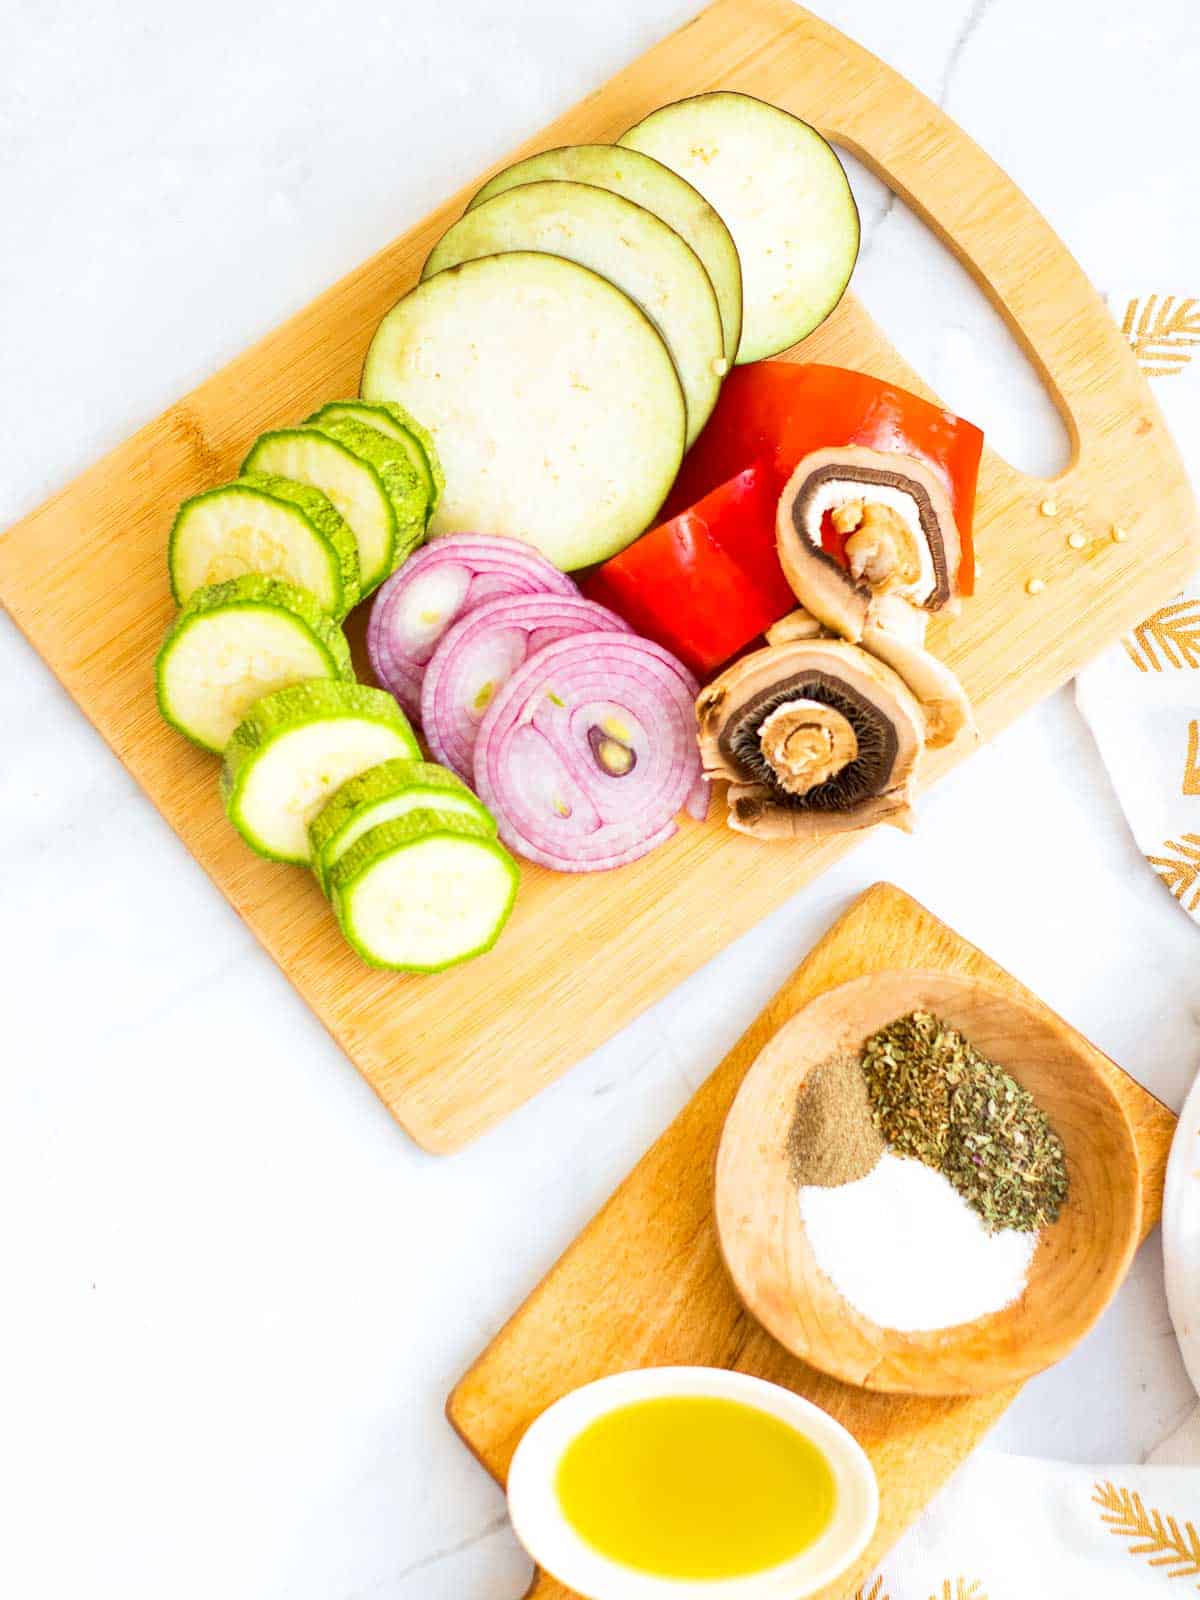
x=234, y=1294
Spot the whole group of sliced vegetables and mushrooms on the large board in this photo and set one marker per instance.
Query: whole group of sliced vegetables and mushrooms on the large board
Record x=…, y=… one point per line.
x=586, y=358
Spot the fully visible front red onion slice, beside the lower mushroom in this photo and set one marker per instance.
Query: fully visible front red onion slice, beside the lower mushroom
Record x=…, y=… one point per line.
x=590, y=753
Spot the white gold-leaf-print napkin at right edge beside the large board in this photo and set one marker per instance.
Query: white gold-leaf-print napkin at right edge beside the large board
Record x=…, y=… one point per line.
x=1142, y=698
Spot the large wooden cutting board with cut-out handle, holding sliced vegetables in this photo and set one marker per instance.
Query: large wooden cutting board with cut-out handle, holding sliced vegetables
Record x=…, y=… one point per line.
x=86, y=582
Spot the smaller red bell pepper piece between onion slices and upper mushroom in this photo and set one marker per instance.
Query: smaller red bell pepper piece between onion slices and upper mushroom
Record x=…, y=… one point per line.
x=708, y=582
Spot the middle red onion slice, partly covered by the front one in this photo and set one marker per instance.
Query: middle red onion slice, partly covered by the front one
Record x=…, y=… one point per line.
x=479, y=655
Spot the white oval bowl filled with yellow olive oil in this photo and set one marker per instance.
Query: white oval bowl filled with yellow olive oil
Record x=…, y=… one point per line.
x=681, y=1482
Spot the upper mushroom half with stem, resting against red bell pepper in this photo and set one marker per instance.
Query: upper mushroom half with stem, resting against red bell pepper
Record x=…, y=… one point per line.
x=858, y=524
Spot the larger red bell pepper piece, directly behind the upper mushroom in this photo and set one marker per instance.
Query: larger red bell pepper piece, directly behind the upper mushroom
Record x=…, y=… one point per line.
x=778, y=412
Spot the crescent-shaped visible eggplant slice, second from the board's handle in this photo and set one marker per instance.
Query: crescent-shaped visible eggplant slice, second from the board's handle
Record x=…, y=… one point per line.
x=647, y=183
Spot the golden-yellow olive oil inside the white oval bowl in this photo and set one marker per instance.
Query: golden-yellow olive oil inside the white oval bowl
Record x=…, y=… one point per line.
x=695, y=1487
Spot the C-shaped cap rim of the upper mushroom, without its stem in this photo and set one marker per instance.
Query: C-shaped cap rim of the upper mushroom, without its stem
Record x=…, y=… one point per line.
x=820, y=583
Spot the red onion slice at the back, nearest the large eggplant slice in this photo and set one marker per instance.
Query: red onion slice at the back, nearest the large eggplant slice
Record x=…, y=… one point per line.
x=434, y=588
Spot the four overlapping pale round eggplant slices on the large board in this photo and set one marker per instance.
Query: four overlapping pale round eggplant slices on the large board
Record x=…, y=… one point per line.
x=724, y=222
